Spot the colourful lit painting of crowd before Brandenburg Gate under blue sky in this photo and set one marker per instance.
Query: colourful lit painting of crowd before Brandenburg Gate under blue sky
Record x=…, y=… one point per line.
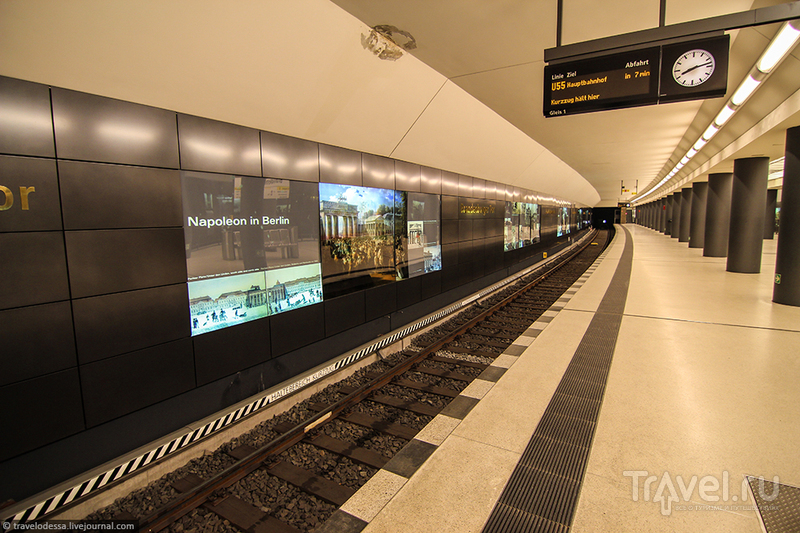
x=358, y=238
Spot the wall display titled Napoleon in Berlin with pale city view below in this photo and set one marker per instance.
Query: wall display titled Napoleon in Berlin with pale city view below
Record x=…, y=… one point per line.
x=252, y=247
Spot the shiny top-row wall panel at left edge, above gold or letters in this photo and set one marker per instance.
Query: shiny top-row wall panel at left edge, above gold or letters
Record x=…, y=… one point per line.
x=26, y=123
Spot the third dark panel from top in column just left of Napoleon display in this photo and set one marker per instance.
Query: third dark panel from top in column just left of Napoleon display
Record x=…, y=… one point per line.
x=106, y=261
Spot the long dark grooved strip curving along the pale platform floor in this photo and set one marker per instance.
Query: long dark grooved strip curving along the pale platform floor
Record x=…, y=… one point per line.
x=543, y=490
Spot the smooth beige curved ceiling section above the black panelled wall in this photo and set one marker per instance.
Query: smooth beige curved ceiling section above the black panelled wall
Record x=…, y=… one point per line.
x=295, y=67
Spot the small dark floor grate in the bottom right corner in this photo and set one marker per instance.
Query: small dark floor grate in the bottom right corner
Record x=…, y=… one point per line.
x=778, y=505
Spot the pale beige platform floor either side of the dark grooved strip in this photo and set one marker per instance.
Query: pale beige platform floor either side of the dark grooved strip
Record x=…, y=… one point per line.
x=702, y=392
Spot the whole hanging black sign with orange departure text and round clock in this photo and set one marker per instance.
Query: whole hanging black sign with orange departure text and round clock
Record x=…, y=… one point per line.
x=689, y=70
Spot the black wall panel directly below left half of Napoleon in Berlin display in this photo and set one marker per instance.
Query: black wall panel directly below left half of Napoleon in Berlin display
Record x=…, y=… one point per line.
x=245, y=345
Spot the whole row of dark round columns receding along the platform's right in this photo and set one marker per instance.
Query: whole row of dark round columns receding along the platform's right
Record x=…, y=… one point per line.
x=732, y=214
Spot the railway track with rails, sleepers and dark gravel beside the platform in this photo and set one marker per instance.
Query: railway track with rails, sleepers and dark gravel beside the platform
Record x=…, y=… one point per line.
x=291, y=473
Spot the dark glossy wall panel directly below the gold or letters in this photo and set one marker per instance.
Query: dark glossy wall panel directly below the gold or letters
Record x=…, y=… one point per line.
x=34, y=269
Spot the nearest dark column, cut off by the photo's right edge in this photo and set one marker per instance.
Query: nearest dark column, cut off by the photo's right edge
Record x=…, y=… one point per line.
x=787, y=262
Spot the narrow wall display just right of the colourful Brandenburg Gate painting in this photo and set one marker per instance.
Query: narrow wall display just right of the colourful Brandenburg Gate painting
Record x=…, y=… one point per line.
x=420, y=249
